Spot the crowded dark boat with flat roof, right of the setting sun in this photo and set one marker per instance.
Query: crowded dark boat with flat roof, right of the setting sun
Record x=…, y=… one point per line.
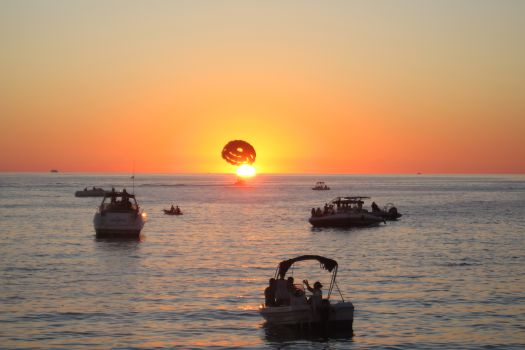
x=344, y=212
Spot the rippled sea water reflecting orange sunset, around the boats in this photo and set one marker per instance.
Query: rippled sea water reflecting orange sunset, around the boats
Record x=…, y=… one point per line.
x=449, y=274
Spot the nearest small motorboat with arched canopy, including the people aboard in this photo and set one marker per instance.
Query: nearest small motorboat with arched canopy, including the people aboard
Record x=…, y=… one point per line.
x=287, y=303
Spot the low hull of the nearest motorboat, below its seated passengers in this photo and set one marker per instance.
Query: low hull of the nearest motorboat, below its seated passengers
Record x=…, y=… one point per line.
x=340, y=314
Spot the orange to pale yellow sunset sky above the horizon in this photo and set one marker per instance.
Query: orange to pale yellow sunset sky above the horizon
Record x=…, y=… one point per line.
x=315, y=86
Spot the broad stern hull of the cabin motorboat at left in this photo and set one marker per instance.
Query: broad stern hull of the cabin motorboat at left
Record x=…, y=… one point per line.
x=118, y=224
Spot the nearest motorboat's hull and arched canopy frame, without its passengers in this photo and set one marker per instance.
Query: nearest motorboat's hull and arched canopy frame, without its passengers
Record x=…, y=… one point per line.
x=299, y=311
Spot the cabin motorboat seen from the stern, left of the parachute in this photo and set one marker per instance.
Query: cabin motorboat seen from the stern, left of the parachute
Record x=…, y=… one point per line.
x=119, y=216
